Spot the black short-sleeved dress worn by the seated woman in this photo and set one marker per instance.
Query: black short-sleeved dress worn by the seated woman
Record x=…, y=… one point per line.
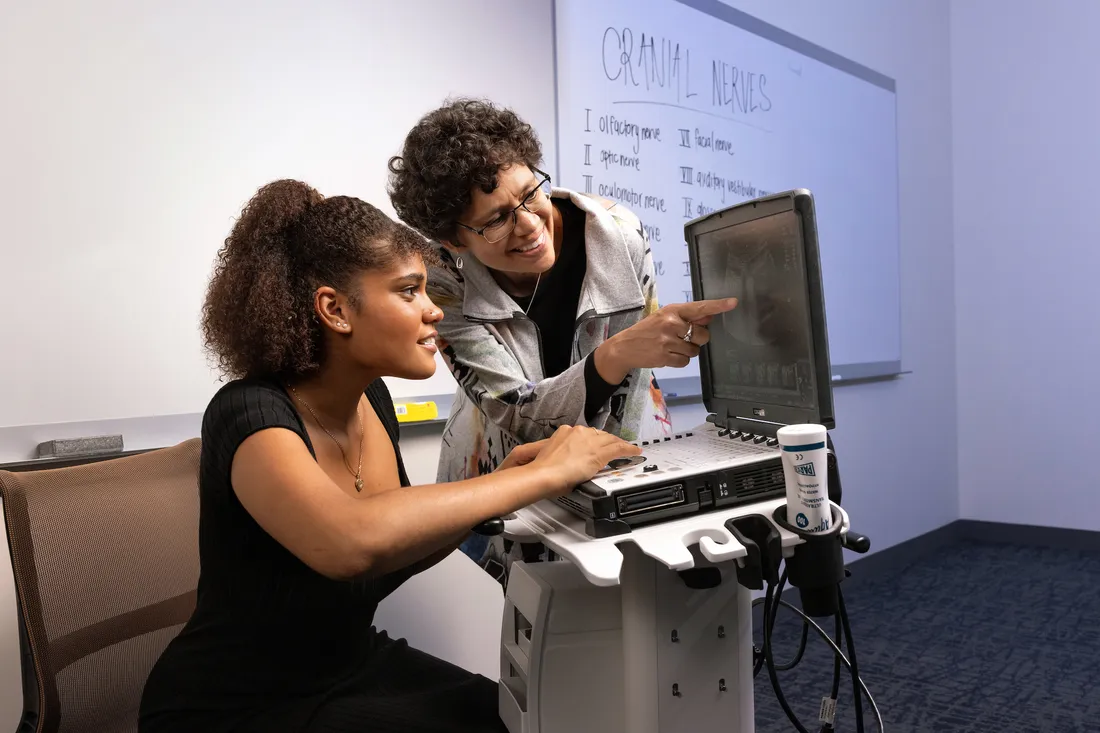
x=276, y=647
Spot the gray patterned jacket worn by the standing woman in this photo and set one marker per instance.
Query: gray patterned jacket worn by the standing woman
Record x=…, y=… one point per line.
x=494, y=353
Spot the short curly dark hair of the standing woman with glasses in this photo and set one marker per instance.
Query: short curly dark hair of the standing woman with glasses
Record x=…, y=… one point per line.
x=452, y=150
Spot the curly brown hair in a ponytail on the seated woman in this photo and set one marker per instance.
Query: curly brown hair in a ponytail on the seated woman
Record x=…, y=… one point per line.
x=258, y=318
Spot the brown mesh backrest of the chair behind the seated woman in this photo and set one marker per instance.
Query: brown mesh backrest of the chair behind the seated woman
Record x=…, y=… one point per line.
x=106, y=565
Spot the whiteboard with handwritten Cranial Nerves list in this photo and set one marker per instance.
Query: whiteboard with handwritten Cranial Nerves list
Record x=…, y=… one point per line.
x=680, y=108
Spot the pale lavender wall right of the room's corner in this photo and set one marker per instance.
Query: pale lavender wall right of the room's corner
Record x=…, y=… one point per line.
x=1027, y=157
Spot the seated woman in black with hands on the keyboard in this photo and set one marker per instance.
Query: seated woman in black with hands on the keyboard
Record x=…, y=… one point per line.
x=307, y=516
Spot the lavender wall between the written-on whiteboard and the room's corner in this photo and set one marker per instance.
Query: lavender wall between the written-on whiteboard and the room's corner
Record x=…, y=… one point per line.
x=897, y=441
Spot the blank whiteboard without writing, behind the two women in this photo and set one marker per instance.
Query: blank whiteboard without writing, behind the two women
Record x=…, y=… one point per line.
x=136, y=130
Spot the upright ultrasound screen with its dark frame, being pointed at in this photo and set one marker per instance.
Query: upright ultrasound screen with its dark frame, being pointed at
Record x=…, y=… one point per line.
x=767, y=364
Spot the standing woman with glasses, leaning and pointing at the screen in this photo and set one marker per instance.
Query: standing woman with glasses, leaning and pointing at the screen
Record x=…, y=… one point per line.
x=551, y=296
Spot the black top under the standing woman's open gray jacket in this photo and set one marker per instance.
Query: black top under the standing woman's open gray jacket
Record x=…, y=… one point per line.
x=554, y=309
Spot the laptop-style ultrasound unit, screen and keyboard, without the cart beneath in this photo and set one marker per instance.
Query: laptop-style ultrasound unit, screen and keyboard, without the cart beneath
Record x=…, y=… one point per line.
x=766, y=366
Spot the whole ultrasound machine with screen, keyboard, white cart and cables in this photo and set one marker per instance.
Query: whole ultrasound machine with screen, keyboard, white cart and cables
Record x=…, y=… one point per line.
x=645, y=623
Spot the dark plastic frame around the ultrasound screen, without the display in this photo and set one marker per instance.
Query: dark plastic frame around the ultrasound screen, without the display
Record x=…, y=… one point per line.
x=762, y=418
